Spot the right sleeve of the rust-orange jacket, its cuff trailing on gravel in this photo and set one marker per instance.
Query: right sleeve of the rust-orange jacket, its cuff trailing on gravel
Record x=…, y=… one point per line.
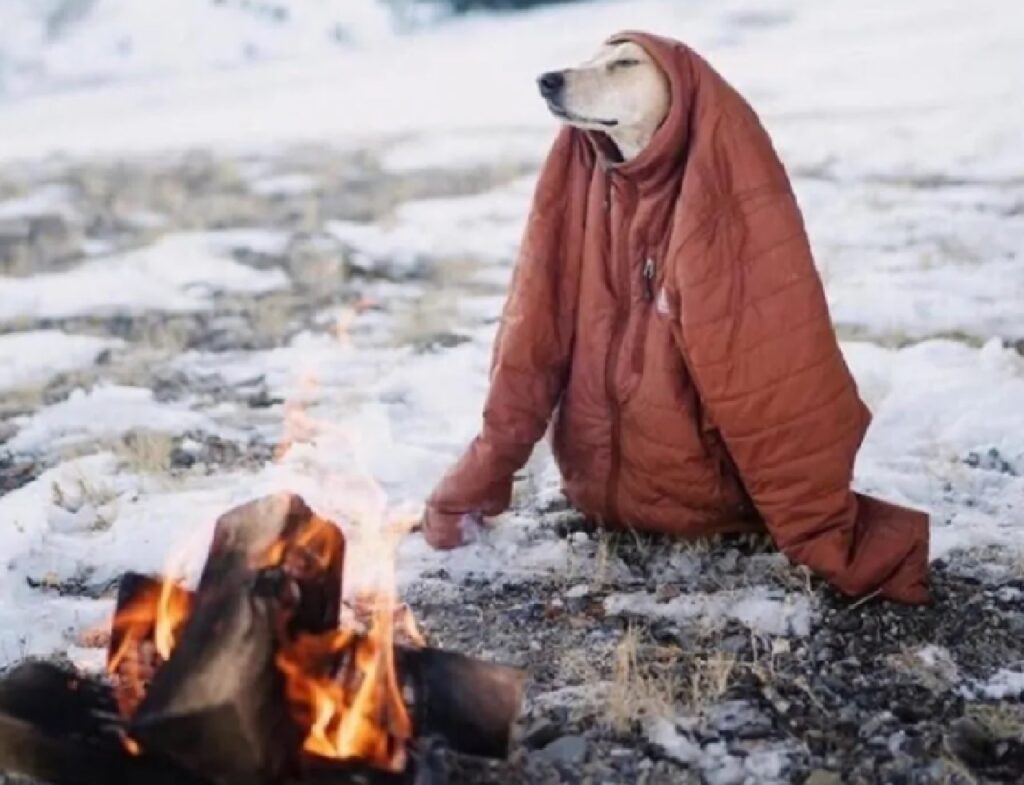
x=761, y=347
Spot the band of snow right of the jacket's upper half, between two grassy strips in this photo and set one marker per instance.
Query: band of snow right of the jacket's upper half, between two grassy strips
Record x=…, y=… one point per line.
x=905, y=261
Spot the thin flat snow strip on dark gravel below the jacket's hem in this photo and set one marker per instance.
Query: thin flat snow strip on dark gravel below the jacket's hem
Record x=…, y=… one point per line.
x=765, y=610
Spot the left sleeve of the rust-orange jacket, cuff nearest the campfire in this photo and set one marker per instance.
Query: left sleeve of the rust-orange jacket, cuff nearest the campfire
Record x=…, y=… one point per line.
x=534, y=344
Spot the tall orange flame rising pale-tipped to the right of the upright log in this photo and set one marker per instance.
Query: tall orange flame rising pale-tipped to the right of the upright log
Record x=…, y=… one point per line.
x=344, y=687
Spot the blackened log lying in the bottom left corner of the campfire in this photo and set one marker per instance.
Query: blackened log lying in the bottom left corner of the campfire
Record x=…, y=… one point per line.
x=61, y=728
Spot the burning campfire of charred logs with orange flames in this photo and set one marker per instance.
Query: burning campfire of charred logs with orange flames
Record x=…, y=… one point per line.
x=261, y=675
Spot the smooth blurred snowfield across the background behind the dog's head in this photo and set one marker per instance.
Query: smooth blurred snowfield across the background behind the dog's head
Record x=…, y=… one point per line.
x=904, y=107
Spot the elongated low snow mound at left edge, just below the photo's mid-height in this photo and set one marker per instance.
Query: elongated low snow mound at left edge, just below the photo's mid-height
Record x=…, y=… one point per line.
x=107, y=411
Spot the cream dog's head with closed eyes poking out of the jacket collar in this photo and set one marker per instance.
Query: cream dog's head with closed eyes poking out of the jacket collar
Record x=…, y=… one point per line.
x=621, y=89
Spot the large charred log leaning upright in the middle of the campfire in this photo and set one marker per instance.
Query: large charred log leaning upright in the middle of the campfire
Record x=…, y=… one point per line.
x=219, y=707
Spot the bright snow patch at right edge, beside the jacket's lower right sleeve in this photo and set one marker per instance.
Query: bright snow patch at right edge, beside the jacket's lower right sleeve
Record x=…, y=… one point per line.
x=934, y=405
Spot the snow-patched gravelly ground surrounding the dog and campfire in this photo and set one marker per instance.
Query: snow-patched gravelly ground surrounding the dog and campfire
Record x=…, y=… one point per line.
x=340, y=245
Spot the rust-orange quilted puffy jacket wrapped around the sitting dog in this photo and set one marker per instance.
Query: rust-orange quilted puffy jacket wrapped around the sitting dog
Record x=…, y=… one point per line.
x=668, y=313
